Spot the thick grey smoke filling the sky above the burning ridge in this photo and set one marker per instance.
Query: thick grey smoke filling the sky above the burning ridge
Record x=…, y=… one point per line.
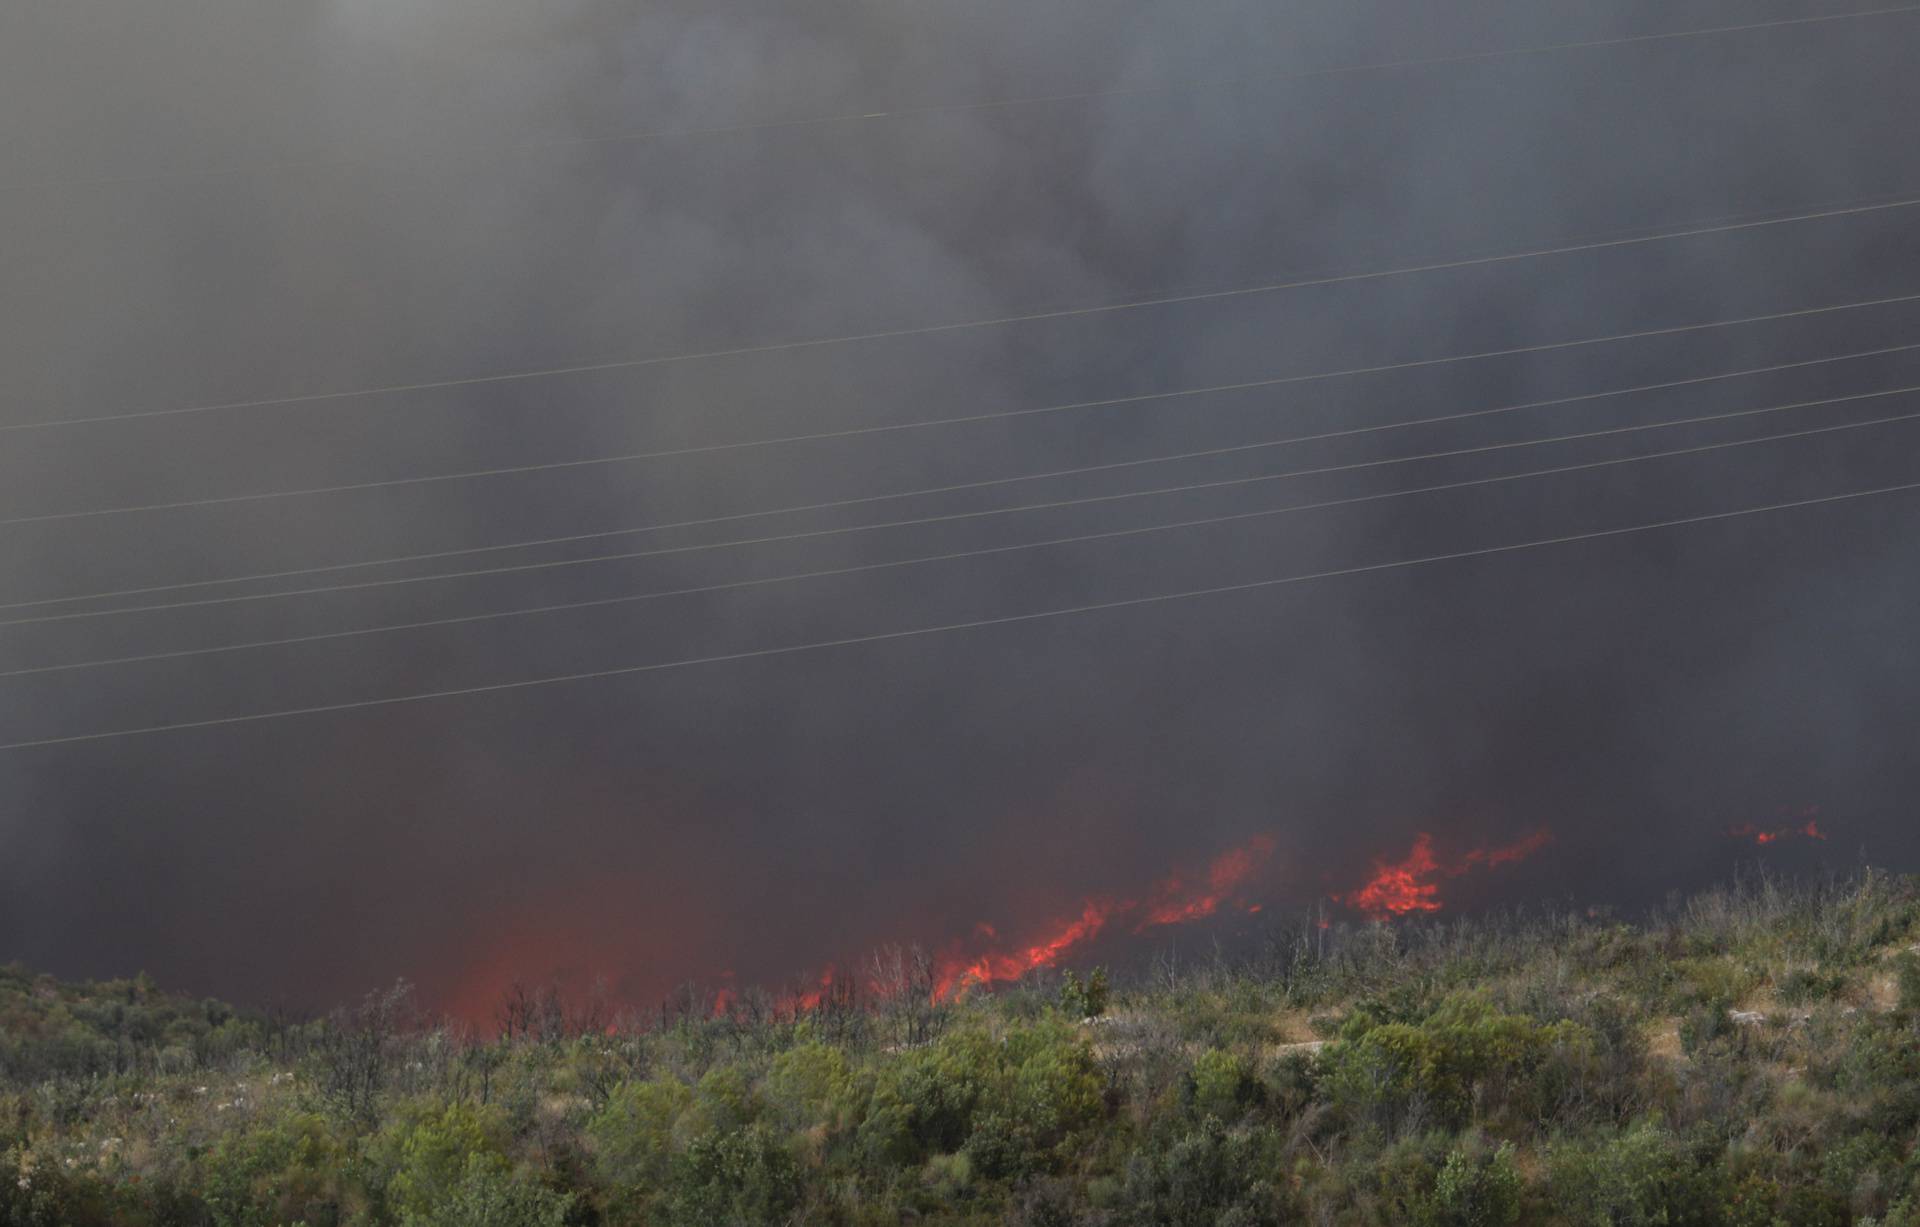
x=214, y=203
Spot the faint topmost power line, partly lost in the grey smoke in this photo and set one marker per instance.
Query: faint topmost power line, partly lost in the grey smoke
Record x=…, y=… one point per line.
x=963, y=108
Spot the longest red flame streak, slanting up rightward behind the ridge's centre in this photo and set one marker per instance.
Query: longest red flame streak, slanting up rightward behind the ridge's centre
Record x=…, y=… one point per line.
x=1172, y=902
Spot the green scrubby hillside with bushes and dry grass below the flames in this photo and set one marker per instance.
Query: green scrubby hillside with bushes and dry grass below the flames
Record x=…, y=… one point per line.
x=1748, y=1057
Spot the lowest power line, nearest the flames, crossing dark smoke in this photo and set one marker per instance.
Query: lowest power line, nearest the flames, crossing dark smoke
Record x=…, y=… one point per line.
x=955, y=627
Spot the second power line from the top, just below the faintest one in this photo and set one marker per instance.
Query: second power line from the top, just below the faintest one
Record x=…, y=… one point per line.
x=1166, y=301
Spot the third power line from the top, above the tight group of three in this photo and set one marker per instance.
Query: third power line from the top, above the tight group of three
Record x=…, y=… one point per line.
x=1143, y=398
